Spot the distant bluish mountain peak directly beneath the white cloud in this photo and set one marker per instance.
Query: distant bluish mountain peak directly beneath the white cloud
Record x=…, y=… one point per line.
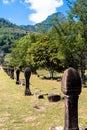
x=46, y=24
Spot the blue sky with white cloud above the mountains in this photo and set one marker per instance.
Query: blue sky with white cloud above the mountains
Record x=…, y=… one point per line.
x=30, y=12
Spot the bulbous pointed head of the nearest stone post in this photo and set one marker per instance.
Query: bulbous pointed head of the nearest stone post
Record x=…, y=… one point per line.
x=71, y=82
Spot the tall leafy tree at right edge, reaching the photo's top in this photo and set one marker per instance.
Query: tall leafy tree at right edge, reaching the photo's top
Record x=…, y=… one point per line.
x=73, y=35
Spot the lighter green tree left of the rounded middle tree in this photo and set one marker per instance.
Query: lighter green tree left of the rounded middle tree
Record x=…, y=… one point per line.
x=20, y=50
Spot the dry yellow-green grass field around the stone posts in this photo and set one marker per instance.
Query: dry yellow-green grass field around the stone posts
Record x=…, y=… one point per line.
x=19, y=112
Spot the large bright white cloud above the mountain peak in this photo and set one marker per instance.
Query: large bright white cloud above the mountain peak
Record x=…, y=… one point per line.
x=42, y=8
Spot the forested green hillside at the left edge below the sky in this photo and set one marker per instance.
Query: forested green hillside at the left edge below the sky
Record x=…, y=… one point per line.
x=8, y=34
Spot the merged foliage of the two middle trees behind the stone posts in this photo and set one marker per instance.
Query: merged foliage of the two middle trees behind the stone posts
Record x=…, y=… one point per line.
x=37, y=50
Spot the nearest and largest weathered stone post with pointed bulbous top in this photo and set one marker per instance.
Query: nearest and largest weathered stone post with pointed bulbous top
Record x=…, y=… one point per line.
x=71, y=87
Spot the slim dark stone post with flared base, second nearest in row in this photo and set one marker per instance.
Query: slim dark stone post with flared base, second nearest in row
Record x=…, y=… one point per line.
x=27, y=74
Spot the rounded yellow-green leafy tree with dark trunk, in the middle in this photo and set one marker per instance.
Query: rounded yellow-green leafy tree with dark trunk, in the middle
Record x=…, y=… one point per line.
x=44, y=53
